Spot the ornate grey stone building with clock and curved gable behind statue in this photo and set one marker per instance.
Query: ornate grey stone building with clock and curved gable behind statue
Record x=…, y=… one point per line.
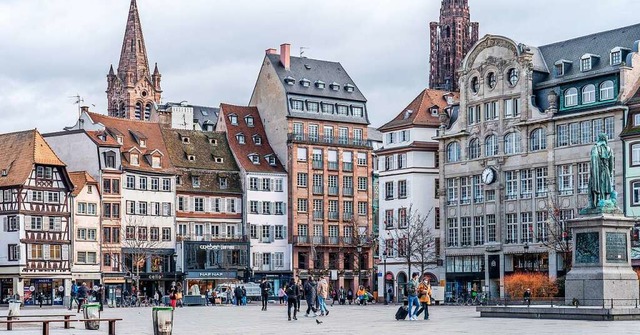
x=515, y=159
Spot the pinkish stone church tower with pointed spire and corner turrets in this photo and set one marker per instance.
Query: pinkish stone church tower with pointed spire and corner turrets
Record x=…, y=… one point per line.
x=133, y=93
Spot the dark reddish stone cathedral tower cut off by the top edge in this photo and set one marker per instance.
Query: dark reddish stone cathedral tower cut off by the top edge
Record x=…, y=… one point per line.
x=451, y=39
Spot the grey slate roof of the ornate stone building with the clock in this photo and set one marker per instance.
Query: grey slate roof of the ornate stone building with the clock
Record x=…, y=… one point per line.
x=598, y=44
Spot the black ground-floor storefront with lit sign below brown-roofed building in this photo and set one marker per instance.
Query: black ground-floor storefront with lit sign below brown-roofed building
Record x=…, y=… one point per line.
x=208, y=264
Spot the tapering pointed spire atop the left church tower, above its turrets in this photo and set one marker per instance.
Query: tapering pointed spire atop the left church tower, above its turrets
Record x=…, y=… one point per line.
x=133, y=57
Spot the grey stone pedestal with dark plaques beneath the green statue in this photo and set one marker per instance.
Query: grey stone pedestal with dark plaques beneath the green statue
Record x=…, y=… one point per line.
x=601, y=268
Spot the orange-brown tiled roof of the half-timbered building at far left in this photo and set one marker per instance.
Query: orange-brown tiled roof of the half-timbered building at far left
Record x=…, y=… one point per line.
x=19, y=151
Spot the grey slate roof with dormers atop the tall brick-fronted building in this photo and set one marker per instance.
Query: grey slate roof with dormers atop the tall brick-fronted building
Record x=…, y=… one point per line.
x=313, y=70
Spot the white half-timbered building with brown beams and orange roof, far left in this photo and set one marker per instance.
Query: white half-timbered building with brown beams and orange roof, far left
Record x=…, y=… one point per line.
x=34, y=210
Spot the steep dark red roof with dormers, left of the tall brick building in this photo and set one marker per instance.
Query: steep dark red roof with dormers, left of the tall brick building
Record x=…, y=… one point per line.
x=242, y=151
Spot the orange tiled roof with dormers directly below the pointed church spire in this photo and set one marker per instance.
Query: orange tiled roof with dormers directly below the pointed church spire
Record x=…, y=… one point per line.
x=152, y=134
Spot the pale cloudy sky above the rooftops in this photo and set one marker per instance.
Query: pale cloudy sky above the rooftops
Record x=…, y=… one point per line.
x=210, y=51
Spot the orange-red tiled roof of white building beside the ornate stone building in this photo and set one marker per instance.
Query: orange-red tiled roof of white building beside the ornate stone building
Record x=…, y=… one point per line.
x=420, y=114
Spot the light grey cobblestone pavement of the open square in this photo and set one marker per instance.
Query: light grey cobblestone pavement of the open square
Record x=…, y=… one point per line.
x=378, y=319
